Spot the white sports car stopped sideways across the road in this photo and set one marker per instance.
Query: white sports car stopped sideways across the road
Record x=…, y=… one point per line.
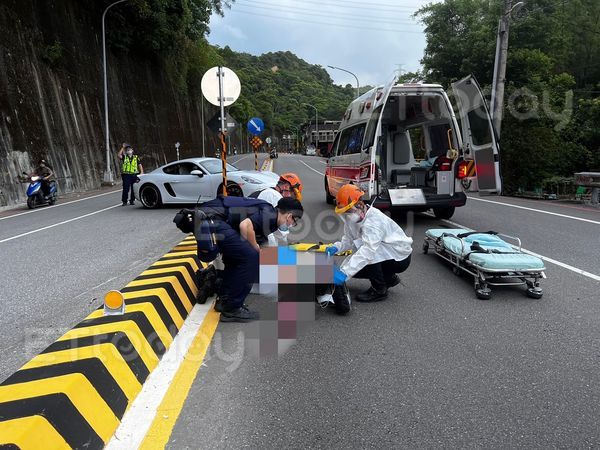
x=197, y=180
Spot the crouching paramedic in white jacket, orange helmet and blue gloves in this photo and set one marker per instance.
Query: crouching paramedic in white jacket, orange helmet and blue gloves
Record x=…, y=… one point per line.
x=380, y=248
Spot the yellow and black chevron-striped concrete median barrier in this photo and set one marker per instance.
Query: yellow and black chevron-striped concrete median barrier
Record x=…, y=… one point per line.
x=74, y=393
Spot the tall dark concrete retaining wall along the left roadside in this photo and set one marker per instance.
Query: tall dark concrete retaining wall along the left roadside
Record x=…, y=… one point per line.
x=53, y=109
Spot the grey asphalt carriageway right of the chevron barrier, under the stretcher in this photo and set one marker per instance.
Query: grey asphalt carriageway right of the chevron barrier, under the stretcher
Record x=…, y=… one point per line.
x=430, y=367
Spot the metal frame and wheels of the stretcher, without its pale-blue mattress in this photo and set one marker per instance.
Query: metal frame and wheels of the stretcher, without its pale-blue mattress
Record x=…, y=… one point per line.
x=484, y=277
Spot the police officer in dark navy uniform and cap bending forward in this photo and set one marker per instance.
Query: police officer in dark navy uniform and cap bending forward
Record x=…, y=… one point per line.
x=241, y=225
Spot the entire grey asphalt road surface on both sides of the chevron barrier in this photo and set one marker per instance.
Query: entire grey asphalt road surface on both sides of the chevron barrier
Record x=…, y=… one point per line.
x=431, y=366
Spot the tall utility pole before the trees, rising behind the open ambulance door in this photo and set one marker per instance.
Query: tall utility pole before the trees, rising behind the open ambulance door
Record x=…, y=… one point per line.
x=497, y=100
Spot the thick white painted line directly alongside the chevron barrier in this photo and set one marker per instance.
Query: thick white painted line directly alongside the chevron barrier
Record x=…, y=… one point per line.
x=138, y=418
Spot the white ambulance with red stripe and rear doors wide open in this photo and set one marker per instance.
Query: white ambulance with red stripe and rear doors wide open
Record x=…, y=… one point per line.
x=404, y=147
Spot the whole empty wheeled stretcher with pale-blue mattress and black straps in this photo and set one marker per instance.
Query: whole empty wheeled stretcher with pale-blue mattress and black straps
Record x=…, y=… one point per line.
x=489, y=259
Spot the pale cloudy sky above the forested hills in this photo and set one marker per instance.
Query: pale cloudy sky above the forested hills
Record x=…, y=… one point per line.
x=371, y=38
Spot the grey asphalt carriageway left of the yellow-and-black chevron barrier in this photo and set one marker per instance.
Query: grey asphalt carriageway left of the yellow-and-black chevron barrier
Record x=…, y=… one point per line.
x=74, y=253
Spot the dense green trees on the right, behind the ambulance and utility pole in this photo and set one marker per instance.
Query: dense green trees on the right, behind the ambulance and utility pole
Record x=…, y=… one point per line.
x=551, y=125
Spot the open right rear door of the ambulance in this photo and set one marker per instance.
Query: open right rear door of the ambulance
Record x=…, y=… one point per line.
x=479, y=140
